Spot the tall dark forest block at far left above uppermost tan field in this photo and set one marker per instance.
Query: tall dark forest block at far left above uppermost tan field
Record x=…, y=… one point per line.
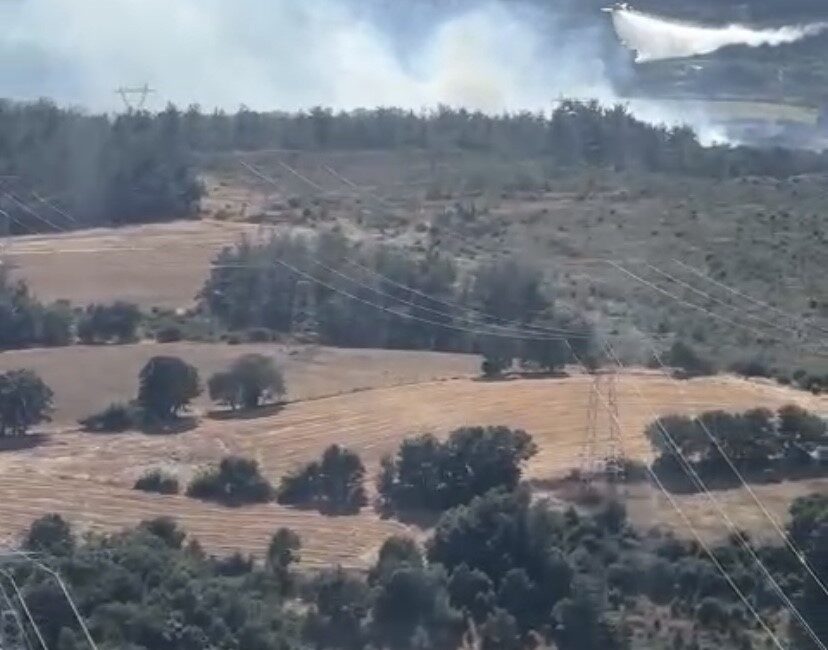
x=63, y=168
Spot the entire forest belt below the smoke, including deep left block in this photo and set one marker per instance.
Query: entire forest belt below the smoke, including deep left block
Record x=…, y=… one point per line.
x=61, y=168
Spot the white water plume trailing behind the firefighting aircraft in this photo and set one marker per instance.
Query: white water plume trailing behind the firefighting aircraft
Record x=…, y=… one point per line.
x=653, y=38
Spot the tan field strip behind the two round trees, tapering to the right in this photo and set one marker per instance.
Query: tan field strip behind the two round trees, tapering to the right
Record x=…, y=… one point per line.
x=87, y=378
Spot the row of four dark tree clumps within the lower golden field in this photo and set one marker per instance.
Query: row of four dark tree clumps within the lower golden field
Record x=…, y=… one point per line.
x=424, y=475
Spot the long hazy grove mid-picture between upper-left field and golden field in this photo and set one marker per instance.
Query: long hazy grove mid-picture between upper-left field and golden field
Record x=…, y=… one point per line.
x=298, y=284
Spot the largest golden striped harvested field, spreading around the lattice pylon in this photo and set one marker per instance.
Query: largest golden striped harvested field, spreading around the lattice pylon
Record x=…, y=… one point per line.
x=88, y=477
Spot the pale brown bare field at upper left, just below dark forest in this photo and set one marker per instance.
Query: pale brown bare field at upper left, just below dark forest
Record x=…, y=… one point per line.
x=153, y=265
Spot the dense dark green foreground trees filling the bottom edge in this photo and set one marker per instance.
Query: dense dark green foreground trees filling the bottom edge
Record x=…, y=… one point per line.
x=503, y=572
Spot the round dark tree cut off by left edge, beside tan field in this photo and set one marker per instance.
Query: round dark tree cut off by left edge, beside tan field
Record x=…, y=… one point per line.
x=25, y=400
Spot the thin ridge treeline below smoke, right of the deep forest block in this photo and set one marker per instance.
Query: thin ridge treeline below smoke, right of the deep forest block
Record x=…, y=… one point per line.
x=574, y=134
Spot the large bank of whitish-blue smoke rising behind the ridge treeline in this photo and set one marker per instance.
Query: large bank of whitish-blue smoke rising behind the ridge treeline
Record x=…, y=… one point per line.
x=295, y=54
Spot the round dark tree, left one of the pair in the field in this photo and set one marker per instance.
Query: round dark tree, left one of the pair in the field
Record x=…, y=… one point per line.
x=166, y=385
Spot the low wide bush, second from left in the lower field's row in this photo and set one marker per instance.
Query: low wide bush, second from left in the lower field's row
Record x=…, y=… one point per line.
x=236, y=481
